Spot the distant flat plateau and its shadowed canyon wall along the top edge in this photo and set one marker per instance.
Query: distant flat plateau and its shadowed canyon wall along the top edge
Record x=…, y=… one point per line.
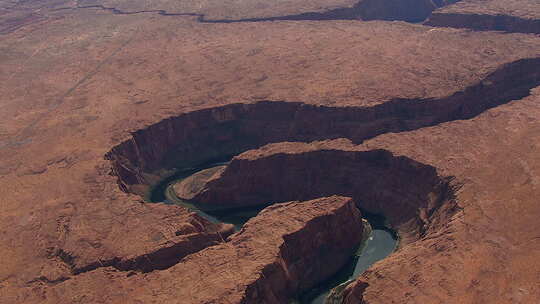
x=213, y=12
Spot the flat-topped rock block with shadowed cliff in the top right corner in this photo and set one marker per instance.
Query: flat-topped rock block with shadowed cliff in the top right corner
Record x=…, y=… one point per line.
x=518, y=16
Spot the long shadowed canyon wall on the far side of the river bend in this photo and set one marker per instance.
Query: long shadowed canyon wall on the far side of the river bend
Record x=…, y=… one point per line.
x=201, y=136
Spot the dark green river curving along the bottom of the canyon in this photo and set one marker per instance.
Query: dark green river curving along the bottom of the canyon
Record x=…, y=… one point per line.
x=380, y=243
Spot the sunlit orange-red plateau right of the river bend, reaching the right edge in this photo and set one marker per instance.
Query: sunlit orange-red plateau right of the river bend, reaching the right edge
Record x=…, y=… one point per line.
x=476, y=256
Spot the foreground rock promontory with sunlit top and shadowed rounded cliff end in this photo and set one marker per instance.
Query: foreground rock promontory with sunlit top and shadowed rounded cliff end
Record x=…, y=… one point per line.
x=284, y=250
